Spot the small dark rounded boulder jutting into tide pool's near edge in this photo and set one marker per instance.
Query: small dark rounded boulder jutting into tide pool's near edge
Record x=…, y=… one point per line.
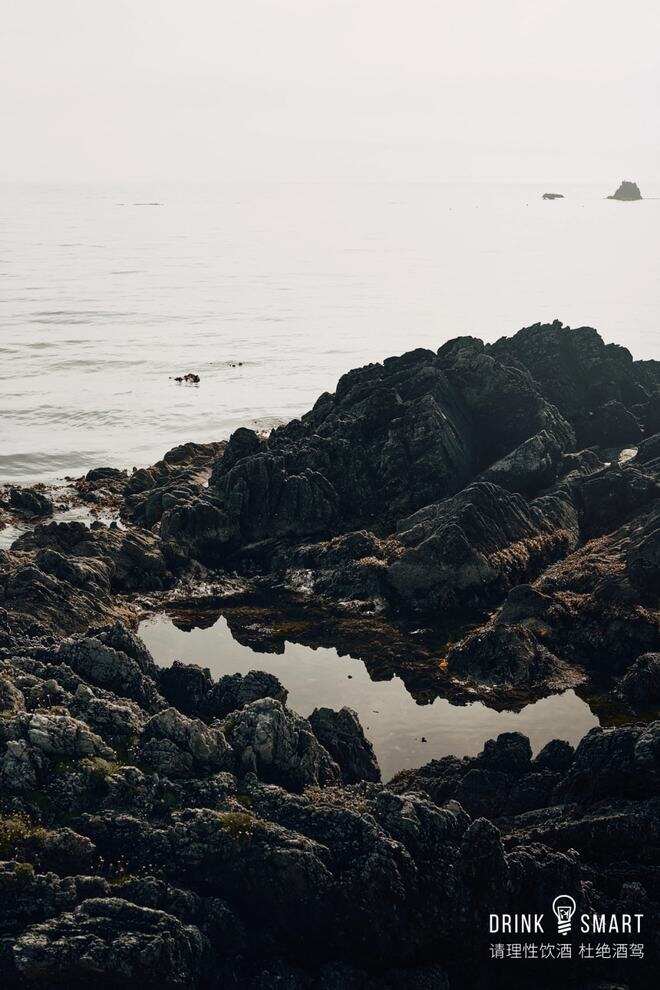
x=341, y=734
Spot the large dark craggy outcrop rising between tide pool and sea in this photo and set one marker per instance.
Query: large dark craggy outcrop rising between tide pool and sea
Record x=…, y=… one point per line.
x=438, y=484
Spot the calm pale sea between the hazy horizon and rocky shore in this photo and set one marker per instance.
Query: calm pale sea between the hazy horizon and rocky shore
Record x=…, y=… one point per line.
x=107, y=292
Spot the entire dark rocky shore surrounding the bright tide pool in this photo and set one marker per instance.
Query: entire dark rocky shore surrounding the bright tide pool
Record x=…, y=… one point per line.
x=158, y=828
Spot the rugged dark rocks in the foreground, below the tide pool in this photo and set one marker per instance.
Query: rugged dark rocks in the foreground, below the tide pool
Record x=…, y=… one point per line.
x=228, y=853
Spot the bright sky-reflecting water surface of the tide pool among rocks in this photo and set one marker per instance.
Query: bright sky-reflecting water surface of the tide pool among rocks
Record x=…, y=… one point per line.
x=393, y=721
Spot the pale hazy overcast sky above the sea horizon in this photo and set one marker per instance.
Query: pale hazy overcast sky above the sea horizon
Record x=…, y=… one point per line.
x=326, y=90
